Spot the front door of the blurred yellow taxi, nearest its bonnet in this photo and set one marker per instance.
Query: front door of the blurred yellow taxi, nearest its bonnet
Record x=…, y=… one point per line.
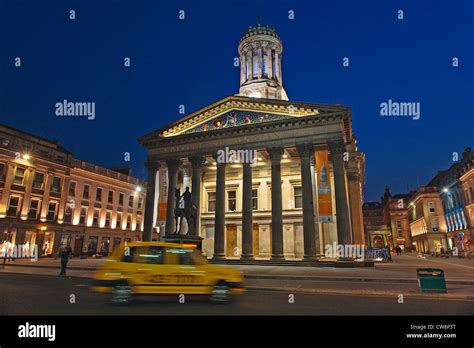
x=185, y=276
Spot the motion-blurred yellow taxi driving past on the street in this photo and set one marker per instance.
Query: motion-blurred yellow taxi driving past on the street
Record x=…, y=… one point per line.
x=164, y=268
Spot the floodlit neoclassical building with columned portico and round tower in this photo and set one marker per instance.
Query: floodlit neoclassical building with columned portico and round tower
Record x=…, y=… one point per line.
x=270, y=177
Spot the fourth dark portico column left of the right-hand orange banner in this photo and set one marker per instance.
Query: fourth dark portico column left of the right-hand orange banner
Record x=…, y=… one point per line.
x=219, y=222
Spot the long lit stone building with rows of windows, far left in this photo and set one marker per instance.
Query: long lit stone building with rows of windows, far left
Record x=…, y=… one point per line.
x=48, y=197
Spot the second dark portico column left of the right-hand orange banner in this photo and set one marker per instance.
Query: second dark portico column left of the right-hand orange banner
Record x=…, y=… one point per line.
x=277, y=216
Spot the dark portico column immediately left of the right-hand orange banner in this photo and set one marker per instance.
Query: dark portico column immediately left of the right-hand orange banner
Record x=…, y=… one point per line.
x=311, y=238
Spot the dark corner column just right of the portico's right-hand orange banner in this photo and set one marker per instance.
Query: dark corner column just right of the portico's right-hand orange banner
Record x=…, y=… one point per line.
x=342, y=208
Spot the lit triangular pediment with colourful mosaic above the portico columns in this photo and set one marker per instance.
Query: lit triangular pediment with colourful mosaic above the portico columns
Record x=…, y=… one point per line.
x=235, y=112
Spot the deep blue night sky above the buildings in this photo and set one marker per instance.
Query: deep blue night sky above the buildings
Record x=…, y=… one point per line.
x=190, y=62
